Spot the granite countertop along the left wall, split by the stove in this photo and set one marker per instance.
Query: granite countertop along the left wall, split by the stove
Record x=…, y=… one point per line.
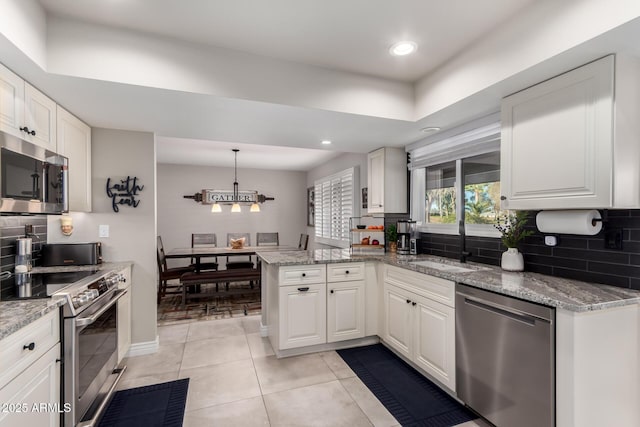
x=17, y=314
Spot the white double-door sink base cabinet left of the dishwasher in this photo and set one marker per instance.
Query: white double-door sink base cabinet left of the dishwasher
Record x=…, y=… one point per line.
x=419, y=328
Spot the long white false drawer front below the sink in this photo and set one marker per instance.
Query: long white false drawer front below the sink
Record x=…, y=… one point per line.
x=435, y=288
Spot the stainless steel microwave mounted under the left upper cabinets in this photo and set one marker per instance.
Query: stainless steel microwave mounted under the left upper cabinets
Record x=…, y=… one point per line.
x=32, y=179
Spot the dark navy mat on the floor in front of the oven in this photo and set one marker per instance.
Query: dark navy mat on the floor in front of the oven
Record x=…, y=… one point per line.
x=158, y=405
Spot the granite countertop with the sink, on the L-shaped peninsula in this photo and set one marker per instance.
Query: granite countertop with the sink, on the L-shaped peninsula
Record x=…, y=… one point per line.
x=571, y=295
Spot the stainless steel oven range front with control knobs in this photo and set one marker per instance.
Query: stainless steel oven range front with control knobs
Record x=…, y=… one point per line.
x=90, y=331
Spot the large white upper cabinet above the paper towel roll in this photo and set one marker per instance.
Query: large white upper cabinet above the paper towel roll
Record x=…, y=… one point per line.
x=571, y=141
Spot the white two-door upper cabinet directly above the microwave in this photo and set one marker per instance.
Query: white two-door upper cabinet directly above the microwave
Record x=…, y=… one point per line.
x=26, y=112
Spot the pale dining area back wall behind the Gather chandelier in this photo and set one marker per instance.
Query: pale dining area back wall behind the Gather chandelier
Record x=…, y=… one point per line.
x=179, y=217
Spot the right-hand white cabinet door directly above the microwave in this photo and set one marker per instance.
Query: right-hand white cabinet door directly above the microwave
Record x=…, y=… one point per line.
x=40, y=118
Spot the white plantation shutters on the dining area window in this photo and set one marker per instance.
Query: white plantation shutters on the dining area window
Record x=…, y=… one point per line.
x=335, y=204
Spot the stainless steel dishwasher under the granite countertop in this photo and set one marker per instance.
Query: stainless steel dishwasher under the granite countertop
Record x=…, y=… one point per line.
x=505, y=358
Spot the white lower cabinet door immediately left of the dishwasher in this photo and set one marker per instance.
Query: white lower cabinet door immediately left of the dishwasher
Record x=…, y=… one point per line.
x=434, y=337
